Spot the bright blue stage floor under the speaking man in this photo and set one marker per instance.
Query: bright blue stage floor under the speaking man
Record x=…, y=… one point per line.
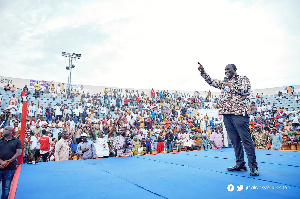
x=195, y=174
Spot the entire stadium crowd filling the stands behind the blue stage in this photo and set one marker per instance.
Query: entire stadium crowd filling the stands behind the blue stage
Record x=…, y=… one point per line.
x=114, y=124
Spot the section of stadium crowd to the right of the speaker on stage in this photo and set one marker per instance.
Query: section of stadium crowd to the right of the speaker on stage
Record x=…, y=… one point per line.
x=274, y=127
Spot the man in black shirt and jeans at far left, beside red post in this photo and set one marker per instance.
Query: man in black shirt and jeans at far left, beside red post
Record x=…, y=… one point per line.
x=11, y=149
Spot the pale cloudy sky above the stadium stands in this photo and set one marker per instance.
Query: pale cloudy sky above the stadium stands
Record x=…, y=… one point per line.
x=151, y=43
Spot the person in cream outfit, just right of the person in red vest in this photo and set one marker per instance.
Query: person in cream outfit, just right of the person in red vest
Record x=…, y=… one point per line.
x=62, y=148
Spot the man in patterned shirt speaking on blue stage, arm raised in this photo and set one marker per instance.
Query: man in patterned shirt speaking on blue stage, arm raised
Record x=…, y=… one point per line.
x=234, y=104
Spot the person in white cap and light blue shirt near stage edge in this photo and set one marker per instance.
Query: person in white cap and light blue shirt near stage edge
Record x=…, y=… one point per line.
x=86, y=148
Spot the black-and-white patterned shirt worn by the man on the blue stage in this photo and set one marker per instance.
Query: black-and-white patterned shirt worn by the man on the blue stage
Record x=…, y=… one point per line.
x=234, y=101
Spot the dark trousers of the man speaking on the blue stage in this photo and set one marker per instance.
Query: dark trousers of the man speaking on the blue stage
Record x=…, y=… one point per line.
x=237, y=127
